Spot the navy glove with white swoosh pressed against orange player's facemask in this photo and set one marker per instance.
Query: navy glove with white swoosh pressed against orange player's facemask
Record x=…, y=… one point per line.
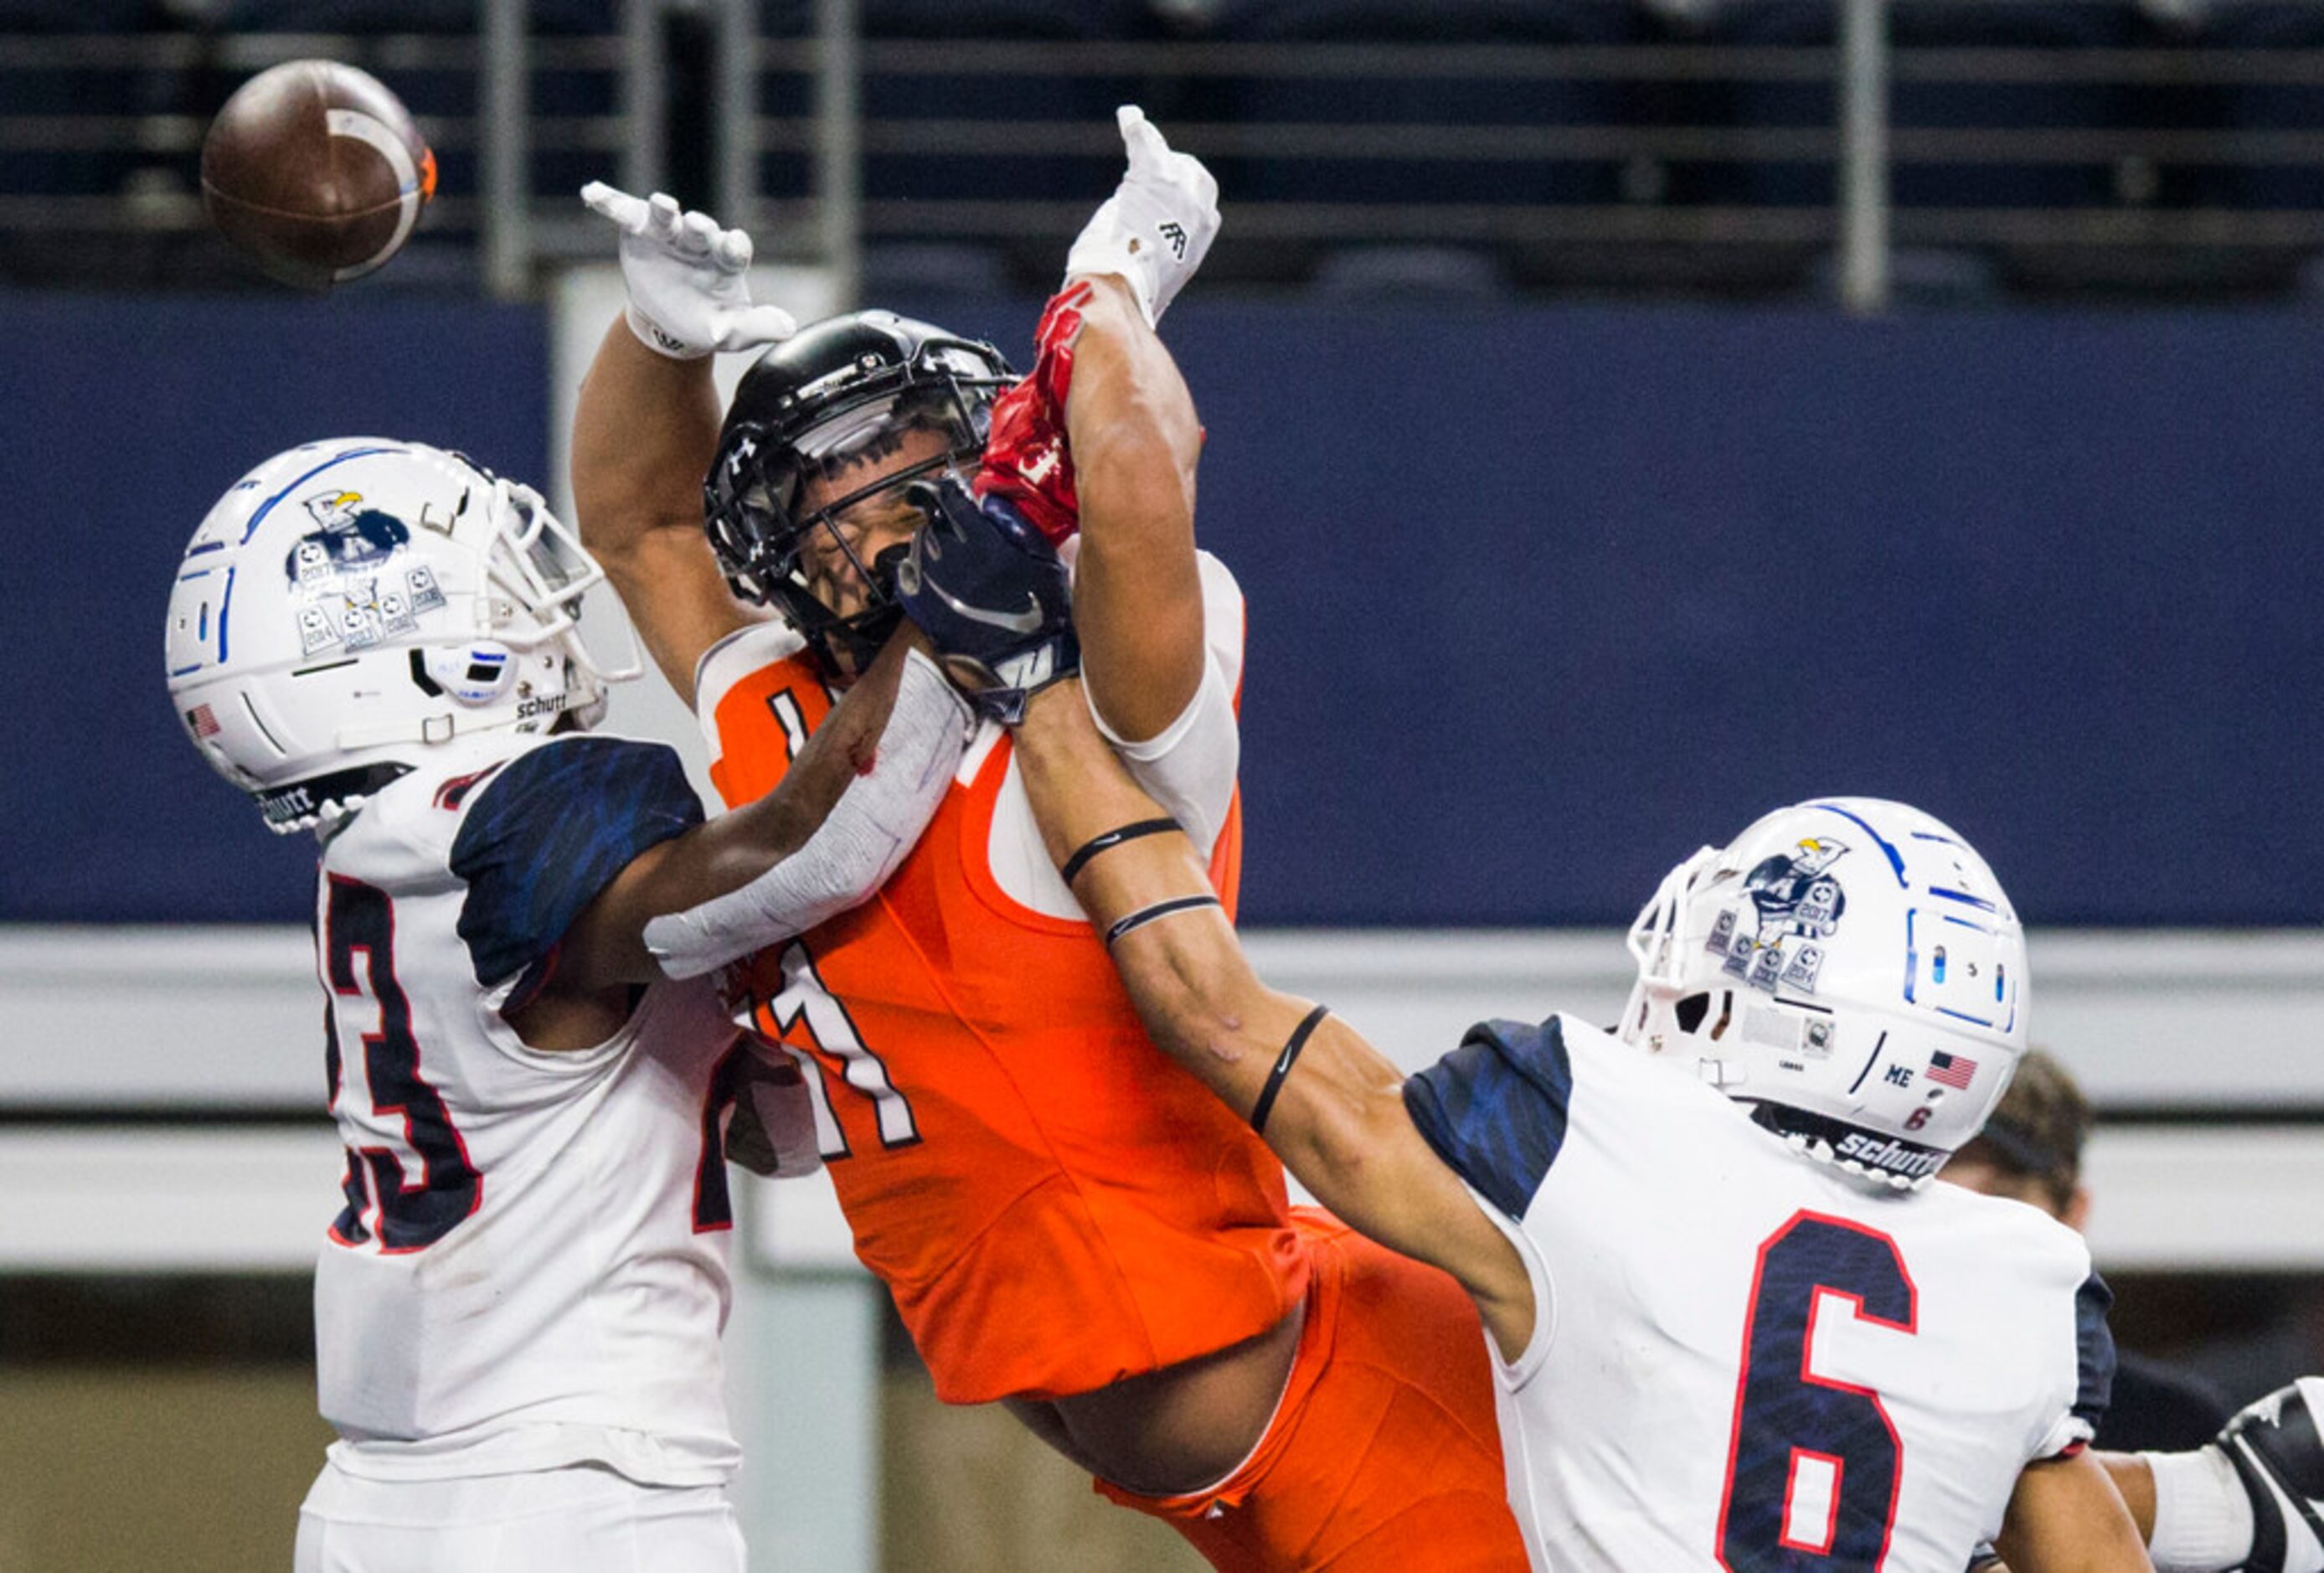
x=991, y=596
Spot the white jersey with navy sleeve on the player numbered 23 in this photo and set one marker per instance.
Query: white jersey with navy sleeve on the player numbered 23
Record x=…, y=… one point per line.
x=531, y=1263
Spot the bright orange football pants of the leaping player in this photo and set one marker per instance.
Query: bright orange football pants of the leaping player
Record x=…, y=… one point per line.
x=1384, y=1456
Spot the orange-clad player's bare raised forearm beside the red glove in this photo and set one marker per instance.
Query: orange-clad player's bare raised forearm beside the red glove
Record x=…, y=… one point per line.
x=1138, y=594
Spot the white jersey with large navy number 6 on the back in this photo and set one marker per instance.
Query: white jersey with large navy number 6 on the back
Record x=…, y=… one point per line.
x=1746, y=1358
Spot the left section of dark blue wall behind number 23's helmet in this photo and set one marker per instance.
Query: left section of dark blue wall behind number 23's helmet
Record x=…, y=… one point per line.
x=124, y=424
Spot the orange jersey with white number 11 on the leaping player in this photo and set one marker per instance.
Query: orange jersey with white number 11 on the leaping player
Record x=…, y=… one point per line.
x=1049, y=1200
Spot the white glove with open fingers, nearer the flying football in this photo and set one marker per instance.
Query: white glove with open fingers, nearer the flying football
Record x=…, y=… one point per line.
x=687, y=278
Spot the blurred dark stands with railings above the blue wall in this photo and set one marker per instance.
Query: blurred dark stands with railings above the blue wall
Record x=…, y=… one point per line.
x=1879, y=150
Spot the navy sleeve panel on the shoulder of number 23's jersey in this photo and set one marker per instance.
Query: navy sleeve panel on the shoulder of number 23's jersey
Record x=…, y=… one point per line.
x=550, y=833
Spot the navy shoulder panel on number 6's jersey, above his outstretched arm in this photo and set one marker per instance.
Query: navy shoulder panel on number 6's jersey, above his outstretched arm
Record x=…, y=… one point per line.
x=1495, y=1109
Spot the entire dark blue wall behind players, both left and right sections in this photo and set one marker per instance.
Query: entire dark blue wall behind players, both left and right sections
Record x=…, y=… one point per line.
x=1540, y=601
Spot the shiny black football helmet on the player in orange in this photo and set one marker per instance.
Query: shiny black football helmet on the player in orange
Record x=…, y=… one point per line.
x=833, y=401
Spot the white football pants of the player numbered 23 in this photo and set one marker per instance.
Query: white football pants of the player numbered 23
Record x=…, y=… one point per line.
x=564, y=1521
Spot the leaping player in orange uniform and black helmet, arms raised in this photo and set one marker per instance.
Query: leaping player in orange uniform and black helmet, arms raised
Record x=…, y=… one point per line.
x=1066, y=1219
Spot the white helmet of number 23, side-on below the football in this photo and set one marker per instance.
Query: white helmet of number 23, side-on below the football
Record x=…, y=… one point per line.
x=357, y=603
